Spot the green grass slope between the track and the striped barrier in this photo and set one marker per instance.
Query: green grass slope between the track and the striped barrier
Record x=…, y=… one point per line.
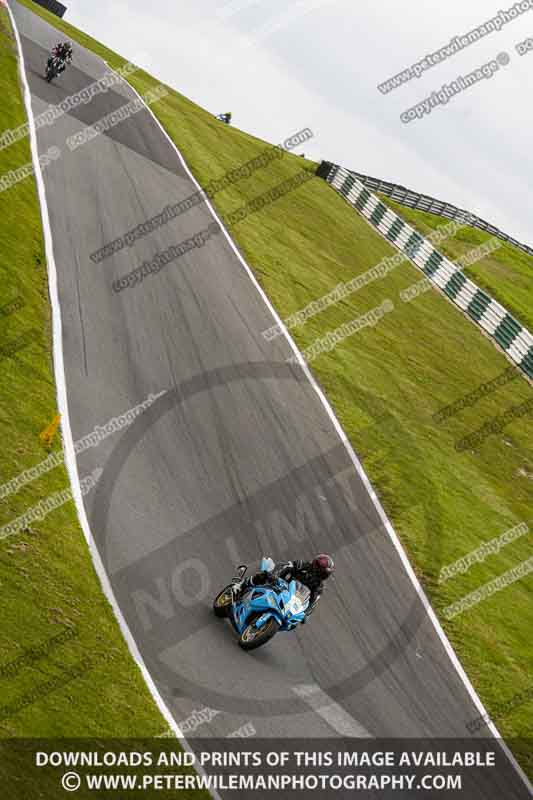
x=394, y=376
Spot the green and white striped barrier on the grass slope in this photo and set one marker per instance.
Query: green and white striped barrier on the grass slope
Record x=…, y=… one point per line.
x=493, y=318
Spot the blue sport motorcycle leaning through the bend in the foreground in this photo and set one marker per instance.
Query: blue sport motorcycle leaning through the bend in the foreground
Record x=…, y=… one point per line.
x=262, y=611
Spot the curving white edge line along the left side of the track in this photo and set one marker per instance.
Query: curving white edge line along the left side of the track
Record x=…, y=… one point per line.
x=68, y=443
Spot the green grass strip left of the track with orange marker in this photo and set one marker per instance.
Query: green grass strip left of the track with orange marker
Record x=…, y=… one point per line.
x=65, y=669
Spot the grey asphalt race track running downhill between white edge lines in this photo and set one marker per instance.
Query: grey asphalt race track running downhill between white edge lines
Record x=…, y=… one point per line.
x=237, y=458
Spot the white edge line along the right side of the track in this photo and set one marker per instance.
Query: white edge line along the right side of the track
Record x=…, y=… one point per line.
x=362, y=474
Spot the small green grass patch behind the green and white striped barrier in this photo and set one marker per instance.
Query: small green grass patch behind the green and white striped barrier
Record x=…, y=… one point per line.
x=506, y=274
